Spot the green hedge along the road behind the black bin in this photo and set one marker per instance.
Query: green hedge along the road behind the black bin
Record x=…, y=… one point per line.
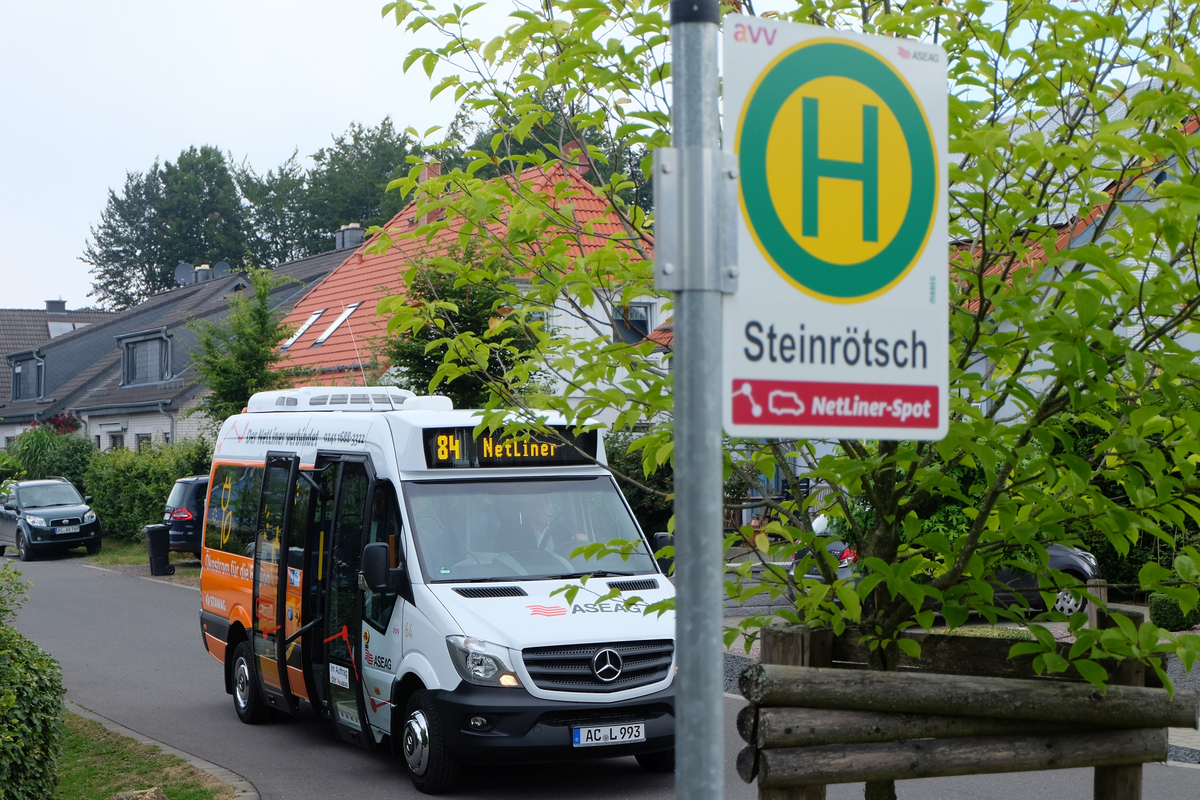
x=129, y=489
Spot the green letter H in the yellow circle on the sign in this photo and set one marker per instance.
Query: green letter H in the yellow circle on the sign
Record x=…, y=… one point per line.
x=867, y=172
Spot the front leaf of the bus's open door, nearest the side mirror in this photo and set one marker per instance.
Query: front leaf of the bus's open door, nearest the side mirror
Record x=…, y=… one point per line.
x=343, y=624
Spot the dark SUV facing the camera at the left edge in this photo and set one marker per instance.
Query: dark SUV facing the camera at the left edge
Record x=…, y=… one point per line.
x=45, y=516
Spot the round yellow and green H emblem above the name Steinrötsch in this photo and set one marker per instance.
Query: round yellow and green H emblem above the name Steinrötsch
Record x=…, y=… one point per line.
x=839, y=187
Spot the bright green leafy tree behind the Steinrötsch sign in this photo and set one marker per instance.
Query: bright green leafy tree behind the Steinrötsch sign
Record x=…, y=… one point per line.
x=1047, y=329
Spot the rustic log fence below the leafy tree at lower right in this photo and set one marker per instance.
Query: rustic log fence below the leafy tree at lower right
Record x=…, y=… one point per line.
x=818, y=717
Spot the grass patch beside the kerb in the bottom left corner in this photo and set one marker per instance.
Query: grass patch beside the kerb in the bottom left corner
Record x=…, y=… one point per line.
x=98, y=763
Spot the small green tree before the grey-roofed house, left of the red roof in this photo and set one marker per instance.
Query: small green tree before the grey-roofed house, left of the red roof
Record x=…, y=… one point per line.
x=236, y=357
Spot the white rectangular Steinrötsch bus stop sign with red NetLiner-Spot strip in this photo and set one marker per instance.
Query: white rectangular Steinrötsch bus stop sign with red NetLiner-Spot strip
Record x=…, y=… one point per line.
x=839, y=328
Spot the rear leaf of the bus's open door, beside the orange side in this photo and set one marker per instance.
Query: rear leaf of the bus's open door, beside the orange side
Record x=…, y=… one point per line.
x=272, y=544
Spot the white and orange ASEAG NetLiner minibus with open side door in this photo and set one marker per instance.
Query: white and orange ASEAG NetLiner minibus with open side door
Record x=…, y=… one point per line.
x=367, y=555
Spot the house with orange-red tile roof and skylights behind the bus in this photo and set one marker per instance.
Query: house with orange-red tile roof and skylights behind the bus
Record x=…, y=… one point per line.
x=340, y=334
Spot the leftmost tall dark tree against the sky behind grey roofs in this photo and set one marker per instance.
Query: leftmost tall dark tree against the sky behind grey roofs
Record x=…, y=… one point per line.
x=183, y=212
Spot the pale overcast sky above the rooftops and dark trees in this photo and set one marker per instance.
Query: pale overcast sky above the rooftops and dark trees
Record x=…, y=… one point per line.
x=91, y=91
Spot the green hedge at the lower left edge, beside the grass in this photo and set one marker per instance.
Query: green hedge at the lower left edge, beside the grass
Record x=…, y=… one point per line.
x=31, y=719
